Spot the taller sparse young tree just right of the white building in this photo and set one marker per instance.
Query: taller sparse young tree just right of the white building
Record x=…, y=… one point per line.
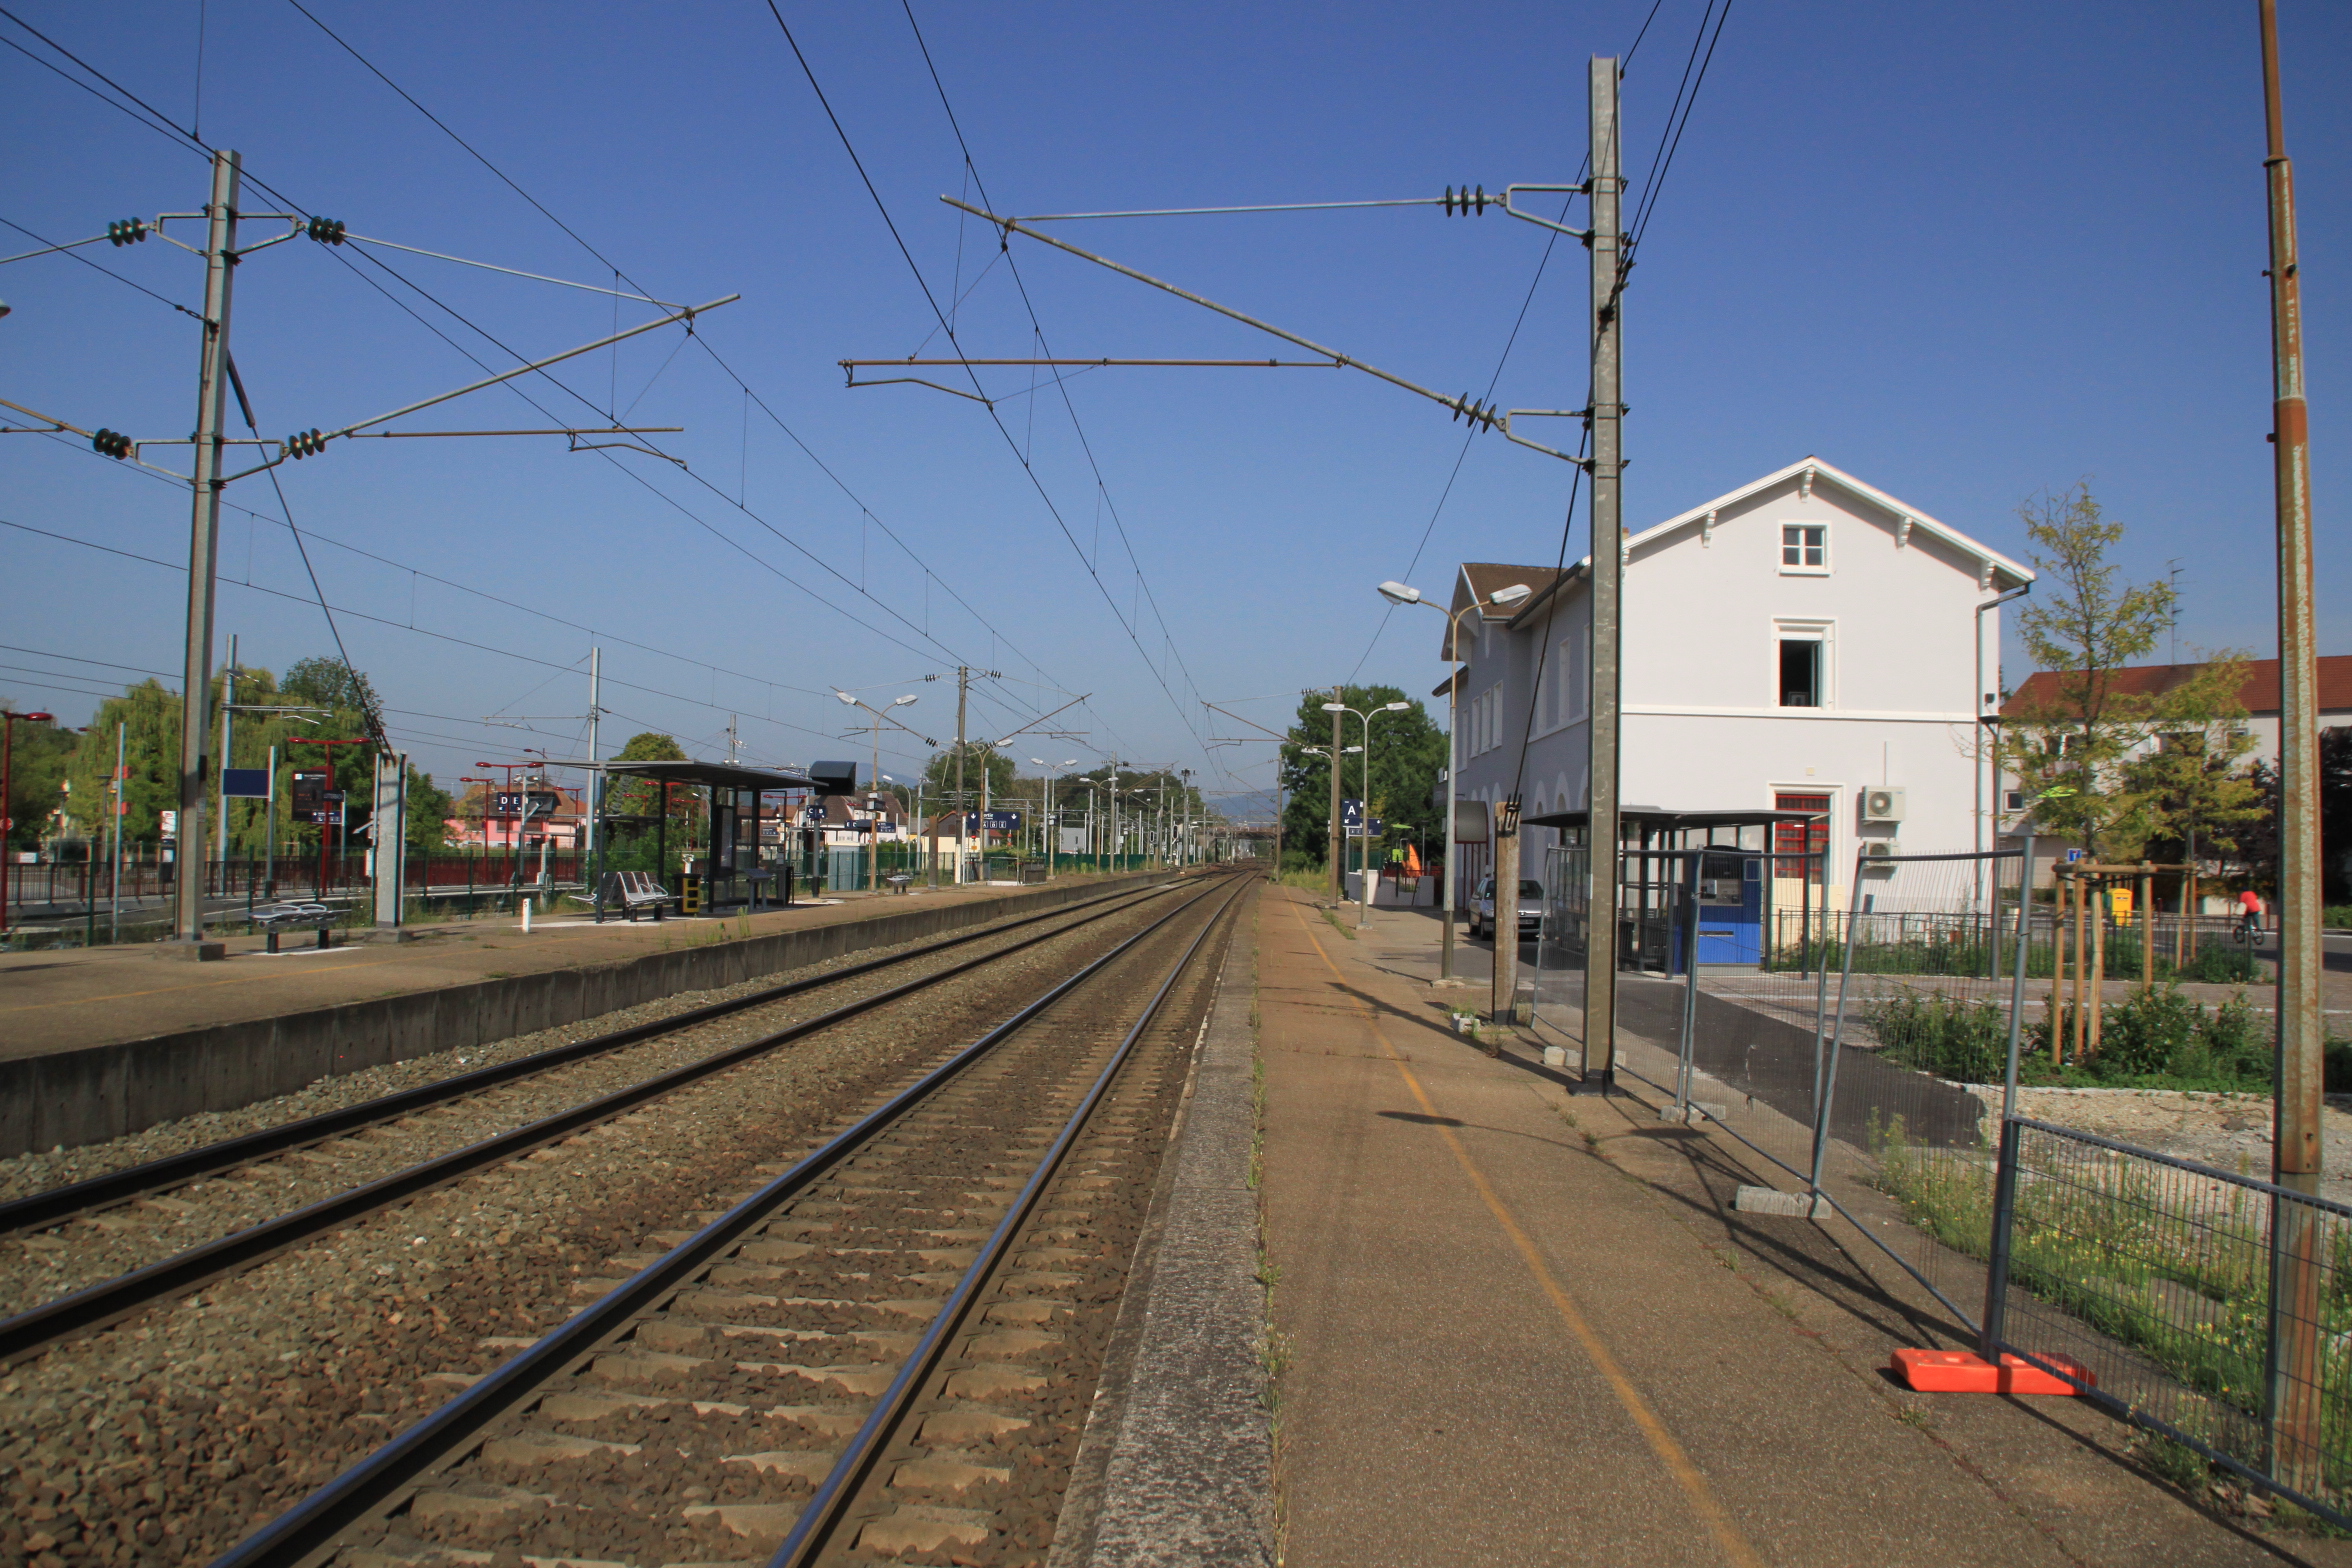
x=2090, y=728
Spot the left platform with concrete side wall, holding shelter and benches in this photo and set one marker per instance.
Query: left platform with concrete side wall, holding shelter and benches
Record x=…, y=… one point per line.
x=98, y=1043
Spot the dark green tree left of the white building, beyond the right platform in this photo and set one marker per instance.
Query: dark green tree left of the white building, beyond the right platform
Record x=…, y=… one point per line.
x=1408, y=756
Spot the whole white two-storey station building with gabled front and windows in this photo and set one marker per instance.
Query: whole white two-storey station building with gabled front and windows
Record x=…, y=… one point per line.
x=1786, y=648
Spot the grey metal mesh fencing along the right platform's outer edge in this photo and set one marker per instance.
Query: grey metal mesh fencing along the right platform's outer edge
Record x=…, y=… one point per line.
x=1866, y=1061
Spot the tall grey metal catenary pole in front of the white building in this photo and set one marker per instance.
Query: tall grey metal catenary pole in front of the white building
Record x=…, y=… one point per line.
x=1608, y=598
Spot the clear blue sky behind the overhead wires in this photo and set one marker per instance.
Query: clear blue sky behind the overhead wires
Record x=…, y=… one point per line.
x=1965, y=253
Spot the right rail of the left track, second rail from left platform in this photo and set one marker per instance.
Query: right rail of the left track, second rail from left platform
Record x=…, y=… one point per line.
x=114, y=1299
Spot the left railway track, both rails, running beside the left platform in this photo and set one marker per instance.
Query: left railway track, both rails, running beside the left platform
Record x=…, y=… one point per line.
x=314, y=1144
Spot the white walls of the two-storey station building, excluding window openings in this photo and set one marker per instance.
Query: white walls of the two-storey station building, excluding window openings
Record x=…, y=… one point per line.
x=1704, y=728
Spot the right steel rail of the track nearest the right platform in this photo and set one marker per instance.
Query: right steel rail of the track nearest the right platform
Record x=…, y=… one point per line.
x=841, y=1487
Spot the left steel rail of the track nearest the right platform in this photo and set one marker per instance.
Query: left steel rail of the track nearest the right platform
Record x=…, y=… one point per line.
x=309, y=1529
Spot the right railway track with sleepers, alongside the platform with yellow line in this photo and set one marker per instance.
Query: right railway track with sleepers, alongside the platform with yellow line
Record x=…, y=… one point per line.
x=883, y=1353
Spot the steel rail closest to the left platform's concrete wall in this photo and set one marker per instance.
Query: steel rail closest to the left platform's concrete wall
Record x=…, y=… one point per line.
x=44, y=1209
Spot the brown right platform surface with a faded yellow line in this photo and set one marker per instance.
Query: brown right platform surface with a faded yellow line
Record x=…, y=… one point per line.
x=1516, y=1327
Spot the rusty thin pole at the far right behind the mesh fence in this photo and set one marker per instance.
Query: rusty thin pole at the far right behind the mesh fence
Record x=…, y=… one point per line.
x=2297, y=1228
